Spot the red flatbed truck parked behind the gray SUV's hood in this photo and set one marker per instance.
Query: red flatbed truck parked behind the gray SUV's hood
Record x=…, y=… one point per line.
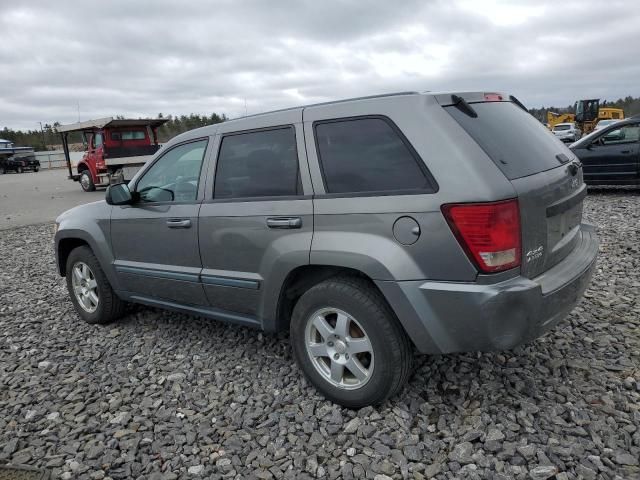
x=115, y=149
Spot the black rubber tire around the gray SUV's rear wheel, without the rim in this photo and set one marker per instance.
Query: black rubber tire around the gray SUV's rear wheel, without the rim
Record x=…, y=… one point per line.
x=392, y=349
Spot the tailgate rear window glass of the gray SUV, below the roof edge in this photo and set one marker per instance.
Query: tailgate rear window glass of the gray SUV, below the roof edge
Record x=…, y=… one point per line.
x=516, y=142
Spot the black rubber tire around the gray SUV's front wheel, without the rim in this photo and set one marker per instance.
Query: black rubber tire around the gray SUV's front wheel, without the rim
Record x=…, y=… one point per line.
x=110, y=307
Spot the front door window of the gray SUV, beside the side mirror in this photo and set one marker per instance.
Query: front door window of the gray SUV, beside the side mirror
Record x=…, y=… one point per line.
x=175, y=176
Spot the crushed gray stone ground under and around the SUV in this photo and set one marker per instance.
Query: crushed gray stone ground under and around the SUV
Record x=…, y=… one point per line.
x=163, y=395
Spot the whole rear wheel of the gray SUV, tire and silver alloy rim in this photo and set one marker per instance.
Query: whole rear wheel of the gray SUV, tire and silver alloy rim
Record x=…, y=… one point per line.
x=349, y=344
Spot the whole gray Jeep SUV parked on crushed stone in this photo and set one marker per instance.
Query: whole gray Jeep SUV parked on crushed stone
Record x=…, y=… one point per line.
x=368, y=228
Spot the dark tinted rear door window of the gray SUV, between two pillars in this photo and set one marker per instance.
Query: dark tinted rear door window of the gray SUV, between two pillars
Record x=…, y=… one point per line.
x=258, y=164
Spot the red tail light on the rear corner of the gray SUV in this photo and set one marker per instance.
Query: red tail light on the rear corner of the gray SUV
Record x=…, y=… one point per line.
x=488, y=232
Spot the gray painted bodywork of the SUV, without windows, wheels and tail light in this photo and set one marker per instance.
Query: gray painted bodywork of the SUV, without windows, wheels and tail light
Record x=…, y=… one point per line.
x=231, y=266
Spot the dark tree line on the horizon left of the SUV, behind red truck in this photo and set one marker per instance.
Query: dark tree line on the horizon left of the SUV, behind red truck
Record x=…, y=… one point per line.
x=47, y=138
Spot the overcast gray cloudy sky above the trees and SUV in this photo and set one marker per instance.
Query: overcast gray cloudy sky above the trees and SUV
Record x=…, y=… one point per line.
x=137, y=58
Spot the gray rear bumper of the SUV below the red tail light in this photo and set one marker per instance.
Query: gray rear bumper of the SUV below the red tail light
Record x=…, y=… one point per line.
x=444, y=317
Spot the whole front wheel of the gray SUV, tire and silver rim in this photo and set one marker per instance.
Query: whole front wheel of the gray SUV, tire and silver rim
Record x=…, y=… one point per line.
x=90, y=291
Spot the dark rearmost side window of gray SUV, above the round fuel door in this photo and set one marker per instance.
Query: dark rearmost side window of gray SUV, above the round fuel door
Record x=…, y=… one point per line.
x=368, y=155
